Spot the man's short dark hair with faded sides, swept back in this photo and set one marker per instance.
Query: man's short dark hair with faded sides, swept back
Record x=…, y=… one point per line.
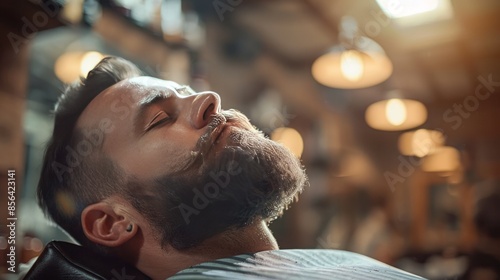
x=70, y=181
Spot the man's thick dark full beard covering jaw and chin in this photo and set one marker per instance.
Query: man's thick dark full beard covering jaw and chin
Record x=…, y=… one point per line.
x=251, y=178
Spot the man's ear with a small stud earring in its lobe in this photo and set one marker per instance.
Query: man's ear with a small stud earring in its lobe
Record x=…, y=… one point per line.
x=102, y=225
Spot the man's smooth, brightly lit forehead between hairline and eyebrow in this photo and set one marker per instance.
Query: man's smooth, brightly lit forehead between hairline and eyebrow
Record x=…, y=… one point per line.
x=121, y=98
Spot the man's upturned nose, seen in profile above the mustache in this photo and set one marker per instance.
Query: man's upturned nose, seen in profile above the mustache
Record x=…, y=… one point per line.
x=204, y=105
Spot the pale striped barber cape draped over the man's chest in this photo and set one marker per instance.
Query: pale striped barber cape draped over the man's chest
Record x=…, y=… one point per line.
x=294, y=264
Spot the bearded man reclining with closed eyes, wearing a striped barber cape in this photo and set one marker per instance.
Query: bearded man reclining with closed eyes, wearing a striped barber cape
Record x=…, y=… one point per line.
x=159, y=176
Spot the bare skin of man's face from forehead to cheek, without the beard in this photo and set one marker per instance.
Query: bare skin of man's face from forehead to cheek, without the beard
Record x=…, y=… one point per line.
x=157, y=126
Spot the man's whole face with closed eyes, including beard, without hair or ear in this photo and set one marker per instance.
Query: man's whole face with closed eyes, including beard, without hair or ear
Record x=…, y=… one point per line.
x=195, y=170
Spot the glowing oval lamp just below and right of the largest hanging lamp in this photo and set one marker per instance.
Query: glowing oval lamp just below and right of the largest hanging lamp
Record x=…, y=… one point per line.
x=393, y=116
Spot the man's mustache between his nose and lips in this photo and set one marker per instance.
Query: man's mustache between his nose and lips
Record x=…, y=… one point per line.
x=212, y=131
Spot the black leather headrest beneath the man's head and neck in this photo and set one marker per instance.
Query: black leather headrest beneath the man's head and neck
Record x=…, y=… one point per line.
x=62, y=260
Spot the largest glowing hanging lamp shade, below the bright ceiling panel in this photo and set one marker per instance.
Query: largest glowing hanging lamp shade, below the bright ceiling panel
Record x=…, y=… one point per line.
x=362, y=64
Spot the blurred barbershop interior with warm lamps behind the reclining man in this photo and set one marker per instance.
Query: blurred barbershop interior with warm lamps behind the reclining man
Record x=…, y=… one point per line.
x=392, y=106
